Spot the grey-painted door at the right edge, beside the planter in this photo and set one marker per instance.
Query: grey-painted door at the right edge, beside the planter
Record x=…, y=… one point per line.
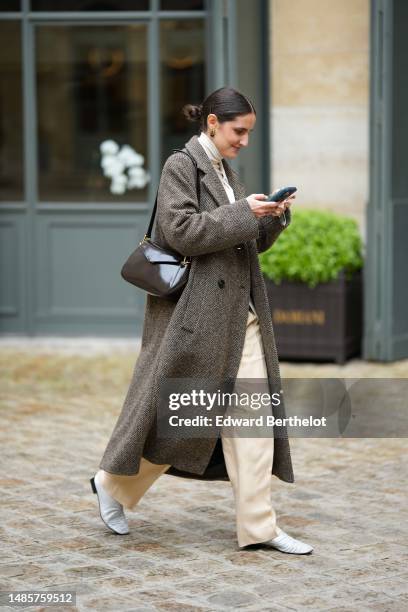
x=386, y=312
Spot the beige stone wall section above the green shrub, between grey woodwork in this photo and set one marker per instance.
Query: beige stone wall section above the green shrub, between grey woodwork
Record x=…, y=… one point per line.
x=319, y=56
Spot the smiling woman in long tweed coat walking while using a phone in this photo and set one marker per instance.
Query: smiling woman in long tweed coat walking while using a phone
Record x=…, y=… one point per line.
x=219, y=329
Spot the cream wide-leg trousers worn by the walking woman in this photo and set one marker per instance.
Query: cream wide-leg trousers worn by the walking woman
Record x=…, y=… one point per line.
x=248, y=462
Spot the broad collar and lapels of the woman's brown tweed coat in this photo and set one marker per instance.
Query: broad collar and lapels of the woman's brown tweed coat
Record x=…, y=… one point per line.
x=210, y=179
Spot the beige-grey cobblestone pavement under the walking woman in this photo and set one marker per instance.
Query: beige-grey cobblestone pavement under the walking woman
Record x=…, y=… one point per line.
x=58, y=409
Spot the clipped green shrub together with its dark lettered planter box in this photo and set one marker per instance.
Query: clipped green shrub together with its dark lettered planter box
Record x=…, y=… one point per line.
x=313, y=275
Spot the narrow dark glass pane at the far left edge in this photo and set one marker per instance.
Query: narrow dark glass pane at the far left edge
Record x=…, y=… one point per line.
x=11, y=113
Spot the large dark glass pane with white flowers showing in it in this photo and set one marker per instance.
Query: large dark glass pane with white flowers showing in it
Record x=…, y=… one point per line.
x=92, y=112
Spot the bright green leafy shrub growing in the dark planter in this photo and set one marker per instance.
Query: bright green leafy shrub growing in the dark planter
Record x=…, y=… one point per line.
x=314, y=249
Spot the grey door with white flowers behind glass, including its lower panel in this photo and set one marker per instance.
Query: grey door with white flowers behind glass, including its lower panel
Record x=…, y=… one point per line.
x=92, y=179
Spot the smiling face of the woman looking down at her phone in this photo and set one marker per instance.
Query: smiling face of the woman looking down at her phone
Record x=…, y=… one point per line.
x=230, y=136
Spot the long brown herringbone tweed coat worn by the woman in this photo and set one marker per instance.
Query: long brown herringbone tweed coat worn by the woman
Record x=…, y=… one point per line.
x=203, y=333
